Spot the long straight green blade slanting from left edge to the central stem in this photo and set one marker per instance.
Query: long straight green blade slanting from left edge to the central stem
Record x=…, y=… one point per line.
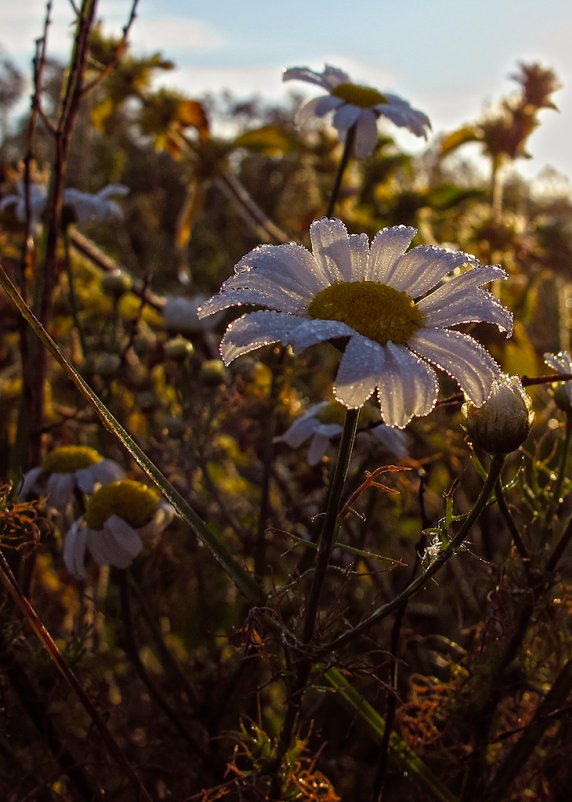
x=242, y=579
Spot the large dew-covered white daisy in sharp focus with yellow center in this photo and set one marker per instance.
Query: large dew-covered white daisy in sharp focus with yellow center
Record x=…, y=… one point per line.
x=392, y=308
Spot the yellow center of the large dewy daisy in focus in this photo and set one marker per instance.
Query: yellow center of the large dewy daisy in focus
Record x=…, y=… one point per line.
x=377, y=311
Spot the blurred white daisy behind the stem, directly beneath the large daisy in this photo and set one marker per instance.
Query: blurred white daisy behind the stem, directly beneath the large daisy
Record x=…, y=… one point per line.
x=322, y=423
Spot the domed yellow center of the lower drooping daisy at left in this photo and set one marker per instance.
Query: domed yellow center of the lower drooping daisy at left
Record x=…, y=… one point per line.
x=130, y=500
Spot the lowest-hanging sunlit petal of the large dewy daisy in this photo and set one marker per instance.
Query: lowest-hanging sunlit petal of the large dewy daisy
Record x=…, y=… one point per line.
x=407, y=387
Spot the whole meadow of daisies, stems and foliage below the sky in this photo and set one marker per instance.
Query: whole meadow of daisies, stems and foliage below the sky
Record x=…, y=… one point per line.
x=316, y=549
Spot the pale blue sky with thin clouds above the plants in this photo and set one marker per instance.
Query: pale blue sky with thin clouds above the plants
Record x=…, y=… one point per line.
x=448, y=58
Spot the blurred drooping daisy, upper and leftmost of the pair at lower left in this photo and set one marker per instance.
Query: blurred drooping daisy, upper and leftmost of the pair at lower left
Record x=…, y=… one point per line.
x=65, y=469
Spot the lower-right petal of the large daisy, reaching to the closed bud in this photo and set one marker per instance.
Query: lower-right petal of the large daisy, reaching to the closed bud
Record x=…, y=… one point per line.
x=461, y=357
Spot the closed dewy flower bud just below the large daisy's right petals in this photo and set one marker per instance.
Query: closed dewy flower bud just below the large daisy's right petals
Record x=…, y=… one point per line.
x=503, y=422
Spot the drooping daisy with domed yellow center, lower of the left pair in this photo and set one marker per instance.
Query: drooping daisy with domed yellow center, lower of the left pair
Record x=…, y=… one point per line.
x=119, y=518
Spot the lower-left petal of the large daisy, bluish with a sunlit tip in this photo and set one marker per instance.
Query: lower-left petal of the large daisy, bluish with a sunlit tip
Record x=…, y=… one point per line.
x=254, y=330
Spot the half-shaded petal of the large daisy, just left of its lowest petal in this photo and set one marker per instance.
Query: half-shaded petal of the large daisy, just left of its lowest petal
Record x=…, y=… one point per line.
x=359, y=371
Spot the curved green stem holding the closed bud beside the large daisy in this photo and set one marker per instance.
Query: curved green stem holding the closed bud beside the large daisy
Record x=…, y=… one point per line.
x=445, y=555
